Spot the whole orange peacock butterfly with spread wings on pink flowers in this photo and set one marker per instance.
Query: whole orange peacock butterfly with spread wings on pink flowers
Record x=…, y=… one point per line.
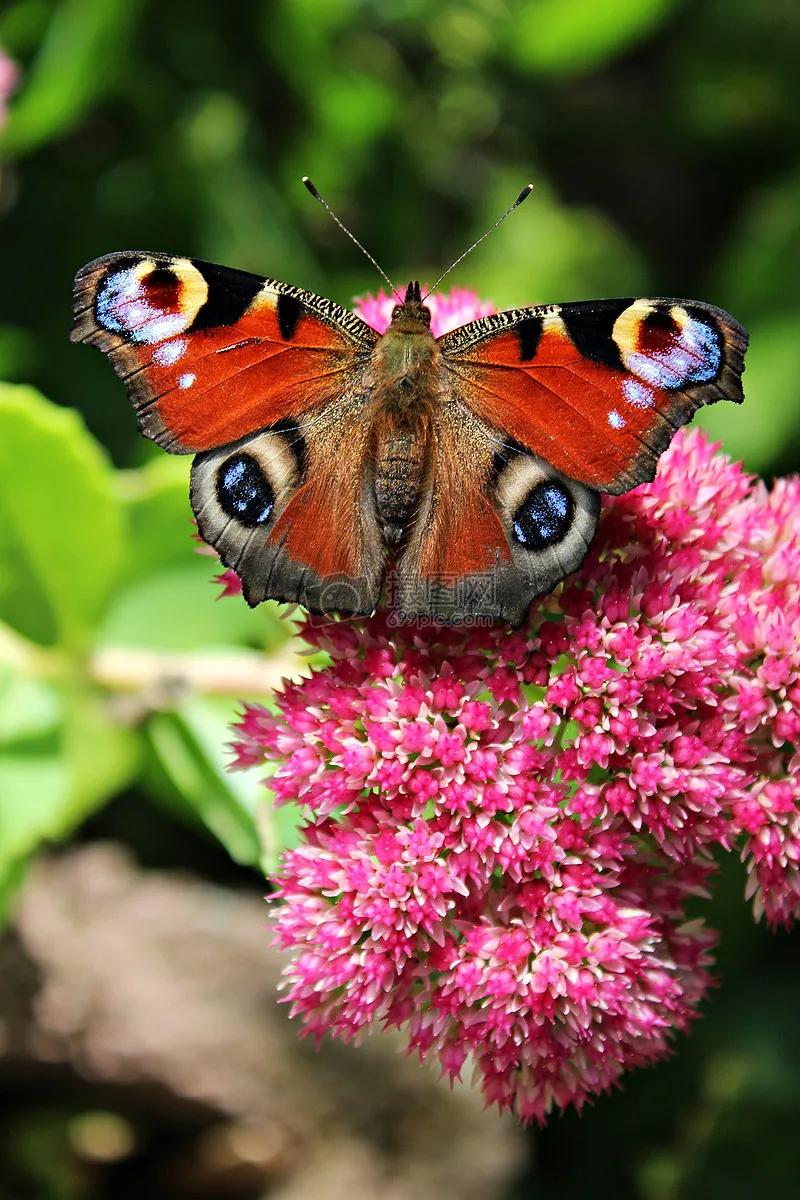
x=461, y=475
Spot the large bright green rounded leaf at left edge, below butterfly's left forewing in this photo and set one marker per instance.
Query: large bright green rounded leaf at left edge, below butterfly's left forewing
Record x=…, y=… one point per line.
x=62, y=532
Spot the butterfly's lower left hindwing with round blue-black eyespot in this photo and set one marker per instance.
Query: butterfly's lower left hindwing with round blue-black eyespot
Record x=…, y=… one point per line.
x=287, y=511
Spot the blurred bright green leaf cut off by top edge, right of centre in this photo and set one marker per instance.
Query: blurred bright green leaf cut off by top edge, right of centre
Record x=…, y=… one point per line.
x=562, y=37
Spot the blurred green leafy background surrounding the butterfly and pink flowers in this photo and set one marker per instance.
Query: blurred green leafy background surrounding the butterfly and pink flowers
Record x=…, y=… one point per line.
x=664, y=140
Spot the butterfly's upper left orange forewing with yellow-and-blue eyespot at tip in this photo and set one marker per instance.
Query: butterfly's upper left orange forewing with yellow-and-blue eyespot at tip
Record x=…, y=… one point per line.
x=210, y=355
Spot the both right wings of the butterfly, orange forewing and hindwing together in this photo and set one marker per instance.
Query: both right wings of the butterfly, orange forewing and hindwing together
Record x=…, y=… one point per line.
x=548, y=409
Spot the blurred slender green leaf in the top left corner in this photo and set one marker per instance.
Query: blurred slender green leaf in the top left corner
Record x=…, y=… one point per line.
x=85, y=47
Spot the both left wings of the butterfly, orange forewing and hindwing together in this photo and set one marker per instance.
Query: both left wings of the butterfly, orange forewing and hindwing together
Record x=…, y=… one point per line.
x=255, y=376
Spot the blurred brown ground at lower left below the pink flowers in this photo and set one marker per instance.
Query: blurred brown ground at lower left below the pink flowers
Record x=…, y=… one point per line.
x=147, y=1003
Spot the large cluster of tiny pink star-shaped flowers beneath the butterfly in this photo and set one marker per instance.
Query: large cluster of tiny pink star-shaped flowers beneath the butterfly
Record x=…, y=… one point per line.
x=509, y=833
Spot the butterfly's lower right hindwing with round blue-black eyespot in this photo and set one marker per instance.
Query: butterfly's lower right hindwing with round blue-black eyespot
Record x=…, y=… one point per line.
x=497, y=526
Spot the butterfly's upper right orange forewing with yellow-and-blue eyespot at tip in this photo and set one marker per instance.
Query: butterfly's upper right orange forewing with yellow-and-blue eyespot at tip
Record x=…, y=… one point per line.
x=598, y=389
